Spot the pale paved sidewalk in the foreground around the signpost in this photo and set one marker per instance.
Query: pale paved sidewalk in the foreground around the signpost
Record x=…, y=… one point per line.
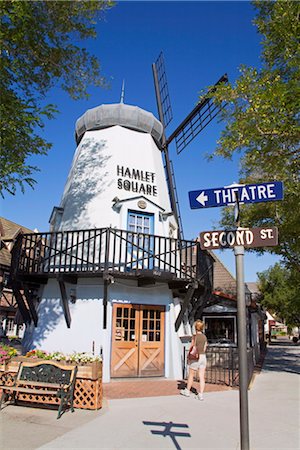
x=173, y=422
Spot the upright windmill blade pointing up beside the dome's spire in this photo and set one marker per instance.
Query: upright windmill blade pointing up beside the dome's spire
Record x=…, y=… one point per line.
x=162, y=91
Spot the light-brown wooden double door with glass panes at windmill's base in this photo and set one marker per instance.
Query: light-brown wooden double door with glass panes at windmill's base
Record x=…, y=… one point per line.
x=137, y=341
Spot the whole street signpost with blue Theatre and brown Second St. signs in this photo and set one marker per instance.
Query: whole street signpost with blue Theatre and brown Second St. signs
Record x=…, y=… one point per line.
x=238, y=239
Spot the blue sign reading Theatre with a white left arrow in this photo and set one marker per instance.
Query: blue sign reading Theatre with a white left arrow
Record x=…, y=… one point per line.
x=247, y=193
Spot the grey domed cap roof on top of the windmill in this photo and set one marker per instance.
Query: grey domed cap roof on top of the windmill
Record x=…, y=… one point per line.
x=128, y=116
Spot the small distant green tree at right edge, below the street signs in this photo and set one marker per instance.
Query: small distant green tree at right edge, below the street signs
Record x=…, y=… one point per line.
x=280, y=293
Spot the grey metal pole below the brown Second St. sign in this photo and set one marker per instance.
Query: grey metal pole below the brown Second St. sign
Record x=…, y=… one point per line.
x=242, y=347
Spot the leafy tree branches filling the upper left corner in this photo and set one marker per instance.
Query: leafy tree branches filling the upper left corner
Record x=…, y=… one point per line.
x=38, y=51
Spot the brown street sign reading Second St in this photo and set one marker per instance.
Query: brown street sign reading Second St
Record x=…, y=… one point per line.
x=247, y=237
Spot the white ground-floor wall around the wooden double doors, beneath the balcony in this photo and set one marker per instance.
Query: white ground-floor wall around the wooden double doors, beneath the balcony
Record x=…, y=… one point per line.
x=86, y=328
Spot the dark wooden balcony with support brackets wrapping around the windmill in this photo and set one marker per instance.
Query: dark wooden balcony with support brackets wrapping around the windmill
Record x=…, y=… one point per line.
x=108, y=253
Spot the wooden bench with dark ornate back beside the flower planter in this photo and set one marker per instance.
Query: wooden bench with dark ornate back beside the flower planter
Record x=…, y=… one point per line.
x=48, y=378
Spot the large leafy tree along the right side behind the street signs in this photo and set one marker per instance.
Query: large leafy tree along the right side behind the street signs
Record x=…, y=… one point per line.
x=261, y=119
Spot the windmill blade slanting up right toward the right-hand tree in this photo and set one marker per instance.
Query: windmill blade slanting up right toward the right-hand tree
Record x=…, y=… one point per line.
x=196, y=121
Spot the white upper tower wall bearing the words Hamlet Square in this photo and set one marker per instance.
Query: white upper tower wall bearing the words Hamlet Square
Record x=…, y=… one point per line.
x=96, y=176
